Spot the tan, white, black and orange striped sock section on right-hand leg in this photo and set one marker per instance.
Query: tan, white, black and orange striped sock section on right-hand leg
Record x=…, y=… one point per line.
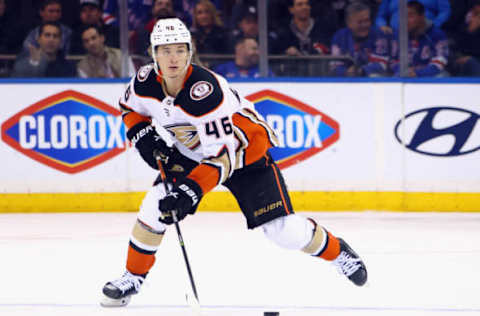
x=323, y=243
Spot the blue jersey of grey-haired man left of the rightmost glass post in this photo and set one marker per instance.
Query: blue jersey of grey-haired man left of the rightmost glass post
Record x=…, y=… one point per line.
x=371, y=54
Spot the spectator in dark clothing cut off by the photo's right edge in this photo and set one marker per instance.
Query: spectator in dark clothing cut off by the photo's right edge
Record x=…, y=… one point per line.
x=467, y=61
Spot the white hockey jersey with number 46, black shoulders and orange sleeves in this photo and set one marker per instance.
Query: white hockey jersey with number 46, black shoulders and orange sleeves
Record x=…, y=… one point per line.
x=207, y=120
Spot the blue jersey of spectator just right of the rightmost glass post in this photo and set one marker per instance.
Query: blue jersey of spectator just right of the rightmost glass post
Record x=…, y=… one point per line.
x=427, y=54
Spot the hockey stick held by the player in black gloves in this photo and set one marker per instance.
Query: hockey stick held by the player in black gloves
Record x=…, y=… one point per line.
x=195, y=304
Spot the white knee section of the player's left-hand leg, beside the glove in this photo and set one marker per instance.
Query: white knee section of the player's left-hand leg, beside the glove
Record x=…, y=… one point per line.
x=149, y=212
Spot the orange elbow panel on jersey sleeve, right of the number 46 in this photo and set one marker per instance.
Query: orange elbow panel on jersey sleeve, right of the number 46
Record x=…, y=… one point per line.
x=258, y=140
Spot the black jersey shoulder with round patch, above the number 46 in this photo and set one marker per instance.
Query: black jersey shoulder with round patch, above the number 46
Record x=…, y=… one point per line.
x=201, y=93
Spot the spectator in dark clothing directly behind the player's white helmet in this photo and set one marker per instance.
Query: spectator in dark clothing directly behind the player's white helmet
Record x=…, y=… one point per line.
x=160, y=9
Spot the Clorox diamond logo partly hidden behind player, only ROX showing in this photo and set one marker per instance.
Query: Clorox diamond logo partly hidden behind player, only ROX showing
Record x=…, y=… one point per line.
x=302, y=131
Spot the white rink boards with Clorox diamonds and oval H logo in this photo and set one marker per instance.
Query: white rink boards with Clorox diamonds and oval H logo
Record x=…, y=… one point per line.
x=333, y=137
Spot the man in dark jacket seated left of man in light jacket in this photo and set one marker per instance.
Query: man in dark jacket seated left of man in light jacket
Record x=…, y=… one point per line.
x=48, y=59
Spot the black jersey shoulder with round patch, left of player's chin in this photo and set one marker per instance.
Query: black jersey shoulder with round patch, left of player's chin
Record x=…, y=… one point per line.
x=146, y=84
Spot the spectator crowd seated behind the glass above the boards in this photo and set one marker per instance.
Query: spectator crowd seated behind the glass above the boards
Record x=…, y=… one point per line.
x=351, y=38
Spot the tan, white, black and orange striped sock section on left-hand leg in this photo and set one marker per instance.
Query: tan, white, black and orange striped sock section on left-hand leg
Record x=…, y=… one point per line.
x=144, y=243
